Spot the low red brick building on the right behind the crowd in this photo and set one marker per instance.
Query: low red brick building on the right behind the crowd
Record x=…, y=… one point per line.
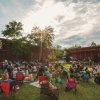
x=86, y=53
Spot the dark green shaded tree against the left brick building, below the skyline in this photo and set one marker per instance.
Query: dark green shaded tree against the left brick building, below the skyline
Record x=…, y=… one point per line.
x=21, y=48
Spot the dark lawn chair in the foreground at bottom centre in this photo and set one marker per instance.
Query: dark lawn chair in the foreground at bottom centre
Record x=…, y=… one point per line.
x=46, y=94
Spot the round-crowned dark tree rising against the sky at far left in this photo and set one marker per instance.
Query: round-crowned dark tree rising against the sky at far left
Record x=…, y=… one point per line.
x=13, y=30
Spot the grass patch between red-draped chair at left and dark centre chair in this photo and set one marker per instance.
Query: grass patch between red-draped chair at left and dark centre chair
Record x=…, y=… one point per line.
x=27, y=92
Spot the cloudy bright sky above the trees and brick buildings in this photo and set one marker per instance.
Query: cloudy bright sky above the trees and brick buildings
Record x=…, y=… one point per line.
x=74, y=21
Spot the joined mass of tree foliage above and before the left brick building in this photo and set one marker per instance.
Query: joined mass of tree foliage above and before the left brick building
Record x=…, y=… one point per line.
x=22, y=46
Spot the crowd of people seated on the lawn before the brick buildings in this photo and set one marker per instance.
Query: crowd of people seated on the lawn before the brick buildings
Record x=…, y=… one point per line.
x=50, y=73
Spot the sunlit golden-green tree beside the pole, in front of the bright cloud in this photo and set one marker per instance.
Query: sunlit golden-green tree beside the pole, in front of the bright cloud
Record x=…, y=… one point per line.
x=42, y=37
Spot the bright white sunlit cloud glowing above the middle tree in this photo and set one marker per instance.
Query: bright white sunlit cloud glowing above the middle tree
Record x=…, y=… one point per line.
x=44, y=16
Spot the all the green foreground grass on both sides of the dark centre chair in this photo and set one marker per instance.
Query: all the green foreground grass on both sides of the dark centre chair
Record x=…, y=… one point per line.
x=86, y=91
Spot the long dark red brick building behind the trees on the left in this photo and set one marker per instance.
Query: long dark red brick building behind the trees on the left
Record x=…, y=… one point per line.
x=5, y=52
